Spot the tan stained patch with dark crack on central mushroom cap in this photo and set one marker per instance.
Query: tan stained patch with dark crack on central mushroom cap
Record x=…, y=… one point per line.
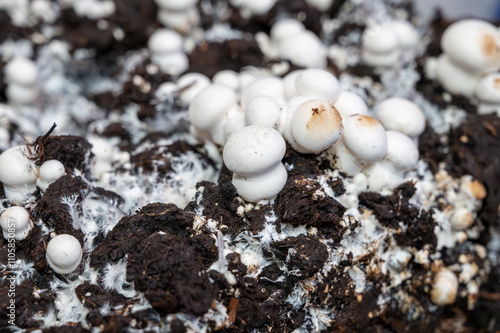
x=325, y=120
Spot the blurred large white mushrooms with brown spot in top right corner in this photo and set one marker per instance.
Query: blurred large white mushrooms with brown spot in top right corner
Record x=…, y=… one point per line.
x=471, y=51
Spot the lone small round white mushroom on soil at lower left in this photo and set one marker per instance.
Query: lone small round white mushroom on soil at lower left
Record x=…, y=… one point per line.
x=64, y=253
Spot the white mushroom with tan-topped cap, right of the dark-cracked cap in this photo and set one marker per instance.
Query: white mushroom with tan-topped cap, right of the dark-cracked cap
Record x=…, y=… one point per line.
x=363, y=141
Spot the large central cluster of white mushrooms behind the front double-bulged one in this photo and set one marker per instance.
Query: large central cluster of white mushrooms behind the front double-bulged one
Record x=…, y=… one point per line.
x=313, y=114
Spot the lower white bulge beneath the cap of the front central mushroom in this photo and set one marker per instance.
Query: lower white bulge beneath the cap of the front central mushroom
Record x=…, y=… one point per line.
x=263, y=186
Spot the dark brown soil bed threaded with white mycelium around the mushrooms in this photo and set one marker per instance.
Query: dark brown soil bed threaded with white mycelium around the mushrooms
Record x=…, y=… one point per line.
x=168, y=244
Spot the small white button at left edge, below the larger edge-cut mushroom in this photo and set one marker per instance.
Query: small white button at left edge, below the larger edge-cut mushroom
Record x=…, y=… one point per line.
x=15, y=222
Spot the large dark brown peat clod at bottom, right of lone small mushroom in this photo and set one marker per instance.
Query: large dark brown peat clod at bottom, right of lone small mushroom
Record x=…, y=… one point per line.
x=169, y=270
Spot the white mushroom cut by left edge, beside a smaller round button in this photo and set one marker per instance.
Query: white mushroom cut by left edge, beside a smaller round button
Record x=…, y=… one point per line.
x=18, y=174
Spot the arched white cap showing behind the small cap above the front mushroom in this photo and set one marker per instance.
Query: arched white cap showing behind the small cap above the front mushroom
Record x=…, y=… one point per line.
x=264, y=86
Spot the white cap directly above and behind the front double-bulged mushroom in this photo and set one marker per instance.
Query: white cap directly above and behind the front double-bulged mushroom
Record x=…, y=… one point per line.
x=264, y=111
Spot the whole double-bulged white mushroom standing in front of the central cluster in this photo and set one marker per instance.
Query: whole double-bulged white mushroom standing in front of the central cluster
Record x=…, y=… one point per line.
x=254, y=155
